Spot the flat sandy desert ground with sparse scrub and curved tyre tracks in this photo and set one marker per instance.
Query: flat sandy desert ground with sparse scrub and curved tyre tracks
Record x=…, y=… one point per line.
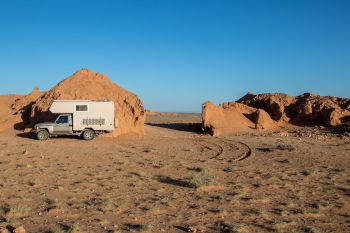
x=177, y=180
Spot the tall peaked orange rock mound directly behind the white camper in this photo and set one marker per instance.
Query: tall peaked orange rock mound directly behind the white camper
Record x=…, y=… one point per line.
x=88, y=85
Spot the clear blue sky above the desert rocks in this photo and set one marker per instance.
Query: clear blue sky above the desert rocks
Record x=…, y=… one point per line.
x=176, y=54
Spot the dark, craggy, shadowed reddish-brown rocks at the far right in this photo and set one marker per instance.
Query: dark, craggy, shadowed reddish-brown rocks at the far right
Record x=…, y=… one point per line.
x=306, y=108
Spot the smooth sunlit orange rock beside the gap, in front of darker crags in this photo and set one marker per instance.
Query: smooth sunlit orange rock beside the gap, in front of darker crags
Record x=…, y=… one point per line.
x=233, y=117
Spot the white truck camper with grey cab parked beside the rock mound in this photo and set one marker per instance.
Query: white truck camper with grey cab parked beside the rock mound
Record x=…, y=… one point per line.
x=85, y=118
